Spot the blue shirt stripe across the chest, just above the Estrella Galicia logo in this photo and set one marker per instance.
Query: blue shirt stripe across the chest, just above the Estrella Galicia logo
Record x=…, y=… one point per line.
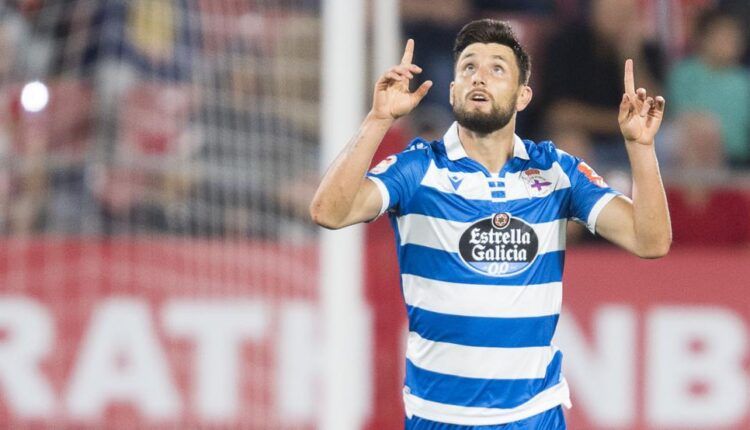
x=431, y=202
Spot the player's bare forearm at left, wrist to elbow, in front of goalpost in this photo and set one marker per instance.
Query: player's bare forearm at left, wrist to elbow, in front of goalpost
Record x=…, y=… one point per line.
x=338, y=189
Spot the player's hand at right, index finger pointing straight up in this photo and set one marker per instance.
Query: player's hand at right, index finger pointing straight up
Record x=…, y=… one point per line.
x=640, y=115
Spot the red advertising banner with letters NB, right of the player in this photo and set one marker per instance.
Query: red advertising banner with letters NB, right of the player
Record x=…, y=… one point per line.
x=657, y=344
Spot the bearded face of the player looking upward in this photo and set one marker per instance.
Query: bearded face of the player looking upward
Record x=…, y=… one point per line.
x=484, y=94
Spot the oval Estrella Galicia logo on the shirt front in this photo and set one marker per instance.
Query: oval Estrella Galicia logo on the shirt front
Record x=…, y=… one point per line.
x=500, y=245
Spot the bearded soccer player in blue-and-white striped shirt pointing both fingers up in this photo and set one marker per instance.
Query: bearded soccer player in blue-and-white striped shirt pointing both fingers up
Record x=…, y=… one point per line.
x=480, y=220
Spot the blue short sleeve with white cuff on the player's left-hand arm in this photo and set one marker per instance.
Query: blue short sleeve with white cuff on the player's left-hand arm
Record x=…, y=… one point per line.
x=398, y=176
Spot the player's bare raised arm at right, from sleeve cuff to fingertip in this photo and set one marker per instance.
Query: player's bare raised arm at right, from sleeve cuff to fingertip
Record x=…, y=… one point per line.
x=642, y=225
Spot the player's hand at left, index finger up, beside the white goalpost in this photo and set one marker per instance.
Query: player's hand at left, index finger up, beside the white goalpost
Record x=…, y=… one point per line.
x=392, y=98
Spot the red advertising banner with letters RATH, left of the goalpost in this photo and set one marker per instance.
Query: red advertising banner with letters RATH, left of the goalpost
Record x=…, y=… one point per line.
x=156, y=333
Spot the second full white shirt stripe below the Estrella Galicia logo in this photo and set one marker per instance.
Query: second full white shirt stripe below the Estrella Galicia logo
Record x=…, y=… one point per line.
x=479, y=362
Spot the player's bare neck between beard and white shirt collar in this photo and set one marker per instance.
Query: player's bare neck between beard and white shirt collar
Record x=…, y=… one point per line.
x=490, y=150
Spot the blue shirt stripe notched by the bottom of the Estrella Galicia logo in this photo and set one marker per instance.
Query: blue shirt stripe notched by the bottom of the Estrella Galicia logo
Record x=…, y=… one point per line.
x=446, y=266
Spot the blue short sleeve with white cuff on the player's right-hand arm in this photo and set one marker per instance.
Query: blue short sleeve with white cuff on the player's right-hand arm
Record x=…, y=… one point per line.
x=589, y=193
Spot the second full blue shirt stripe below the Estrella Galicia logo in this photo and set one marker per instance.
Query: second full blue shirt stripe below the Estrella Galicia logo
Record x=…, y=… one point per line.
x=482, y=331
